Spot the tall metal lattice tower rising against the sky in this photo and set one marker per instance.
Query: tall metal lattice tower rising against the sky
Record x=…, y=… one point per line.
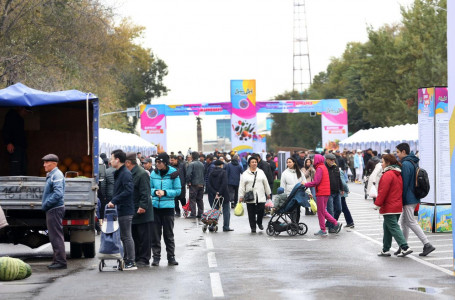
x=301, y=59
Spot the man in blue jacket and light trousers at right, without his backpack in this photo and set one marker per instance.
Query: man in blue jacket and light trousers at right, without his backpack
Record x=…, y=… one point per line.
x=408, y=172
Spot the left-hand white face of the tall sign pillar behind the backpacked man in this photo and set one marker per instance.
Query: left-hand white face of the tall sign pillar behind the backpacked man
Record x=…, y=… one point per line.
x=426, y=109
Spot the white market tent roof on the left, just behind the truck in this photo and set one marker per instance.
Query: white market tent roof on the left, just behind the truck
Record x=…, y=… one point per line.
x=111, y=140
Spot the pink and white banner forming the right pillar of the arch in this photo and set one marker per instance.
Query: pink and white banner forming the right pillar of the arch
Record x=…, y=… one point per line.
x=334, y=122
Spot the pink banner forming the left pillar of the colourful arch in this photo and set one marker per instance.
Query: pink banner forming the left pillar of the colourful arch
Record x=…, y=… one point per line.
x=153, y=125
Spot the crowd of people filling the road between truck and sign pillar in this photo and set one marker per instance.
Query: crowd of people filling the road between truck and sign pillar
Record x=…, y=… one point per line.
x=150, y=192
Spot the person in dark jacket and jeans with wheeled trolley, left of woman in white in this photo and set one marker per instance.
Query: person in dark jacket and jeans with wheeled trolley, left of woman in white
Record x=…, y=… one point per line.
x=218, y=185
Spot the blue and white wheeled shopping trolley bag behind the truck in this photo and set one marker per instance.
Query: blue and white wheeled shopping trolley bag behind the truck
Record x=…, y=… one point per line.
x=110, y=248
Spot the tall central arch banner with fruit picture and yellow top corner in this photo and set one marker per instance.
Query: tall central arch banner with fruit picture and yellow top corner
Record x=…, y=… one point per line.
x=243, y=117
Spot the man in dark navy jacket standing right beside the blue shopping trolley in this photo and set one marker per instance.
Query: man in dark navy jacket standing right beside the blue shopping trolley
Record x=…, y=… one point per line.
x=123, y=199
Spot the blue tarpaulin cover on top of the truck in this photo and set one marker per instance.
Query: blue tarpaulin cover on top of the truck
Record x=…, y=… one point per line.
x=21, y=95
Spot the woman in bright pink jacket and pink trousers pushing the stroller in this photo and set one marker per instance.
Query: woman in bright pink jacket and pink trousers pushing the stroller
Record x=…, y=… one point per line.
x=322, y=183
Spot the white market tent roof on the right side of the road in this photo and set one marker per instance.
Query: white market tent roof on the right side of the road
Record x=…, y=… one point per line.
x=383, y=138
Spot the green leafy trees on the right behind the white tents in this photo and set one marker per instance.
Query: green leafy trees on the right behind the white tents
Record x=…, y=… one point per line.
x=380, y=77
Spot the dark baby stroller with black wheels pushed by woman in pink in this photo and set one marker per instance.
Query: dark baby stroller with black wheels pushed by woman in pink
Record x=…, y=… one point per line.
x=284, y=217
